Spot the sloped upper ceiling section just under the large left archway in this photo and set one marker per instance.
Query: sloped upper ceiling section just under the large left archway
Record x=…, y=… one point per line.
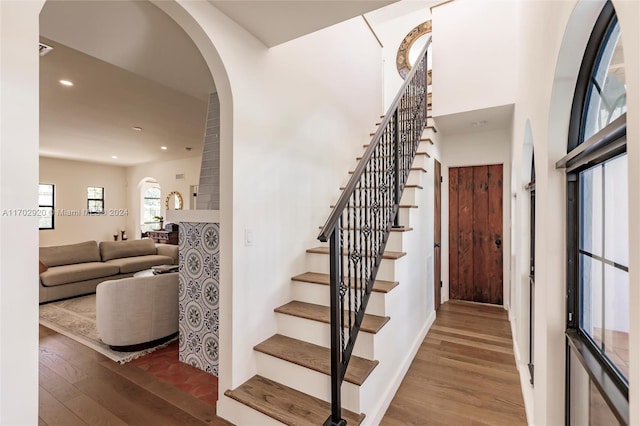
x=134, y=35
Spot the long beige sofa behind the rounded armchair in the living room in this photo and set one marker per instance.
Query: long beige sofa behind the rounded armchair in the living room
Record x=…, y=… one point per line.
x=76, y=269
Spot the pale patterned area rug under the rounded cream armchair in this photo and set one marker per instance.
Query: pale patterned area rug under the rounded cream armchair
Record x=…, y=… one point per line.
x=76, y=319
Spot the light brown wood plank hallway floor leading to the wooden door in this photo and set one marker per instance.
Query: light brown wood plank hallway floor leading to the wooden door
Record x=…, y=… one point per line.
x=464, y=372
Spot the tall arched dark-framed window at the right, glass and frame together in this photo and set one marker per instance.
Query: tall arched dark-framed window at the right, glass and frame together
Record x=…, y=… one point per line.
x=597, y=234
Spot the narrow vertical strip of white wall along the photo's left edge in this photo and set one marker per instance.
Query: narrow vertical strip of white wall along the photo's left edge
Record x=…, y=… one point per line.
x=18, y=234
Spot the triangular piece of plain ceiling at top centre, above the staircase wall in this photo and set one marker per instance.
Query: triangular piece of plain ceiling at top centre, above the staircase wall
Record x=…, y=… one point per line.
x=276, y=22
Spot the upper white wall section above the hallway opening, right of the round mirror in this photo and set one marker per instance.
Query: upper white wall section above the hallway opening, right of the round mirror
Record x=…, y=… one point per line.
x=473, y=68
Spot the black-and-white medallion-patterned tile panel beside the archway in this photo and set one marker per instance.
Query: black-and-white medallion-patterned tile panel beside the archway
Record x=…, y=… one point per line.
x=199, y=289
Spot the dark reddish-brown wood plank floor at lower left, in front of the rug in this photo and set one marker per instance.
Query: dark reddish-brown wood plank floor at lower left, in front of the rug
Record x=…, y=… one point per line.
x=79, y=386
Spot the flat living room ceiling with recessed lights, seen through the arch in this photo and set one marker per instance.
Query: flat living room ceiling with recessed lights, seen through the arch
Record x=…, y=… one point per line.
x=94, y=119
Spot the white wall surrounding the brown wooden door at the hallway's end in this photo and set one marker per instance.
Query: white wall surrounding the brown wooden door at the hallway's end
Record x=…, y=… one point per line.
x=475, y=149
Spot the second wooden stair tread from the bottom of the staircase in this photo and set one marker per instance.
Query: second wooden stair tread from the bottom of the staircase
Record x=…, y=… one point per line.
x=314, y=357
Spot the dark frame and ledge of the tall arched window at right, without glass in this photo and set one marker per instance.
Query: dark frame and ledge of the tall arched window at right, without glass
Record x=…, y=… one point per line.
x=606, y=144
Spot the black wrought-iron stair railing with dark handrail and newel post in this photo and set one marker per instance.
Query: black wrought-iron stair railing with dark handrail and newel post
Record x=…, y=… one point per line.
x=360, y=223
